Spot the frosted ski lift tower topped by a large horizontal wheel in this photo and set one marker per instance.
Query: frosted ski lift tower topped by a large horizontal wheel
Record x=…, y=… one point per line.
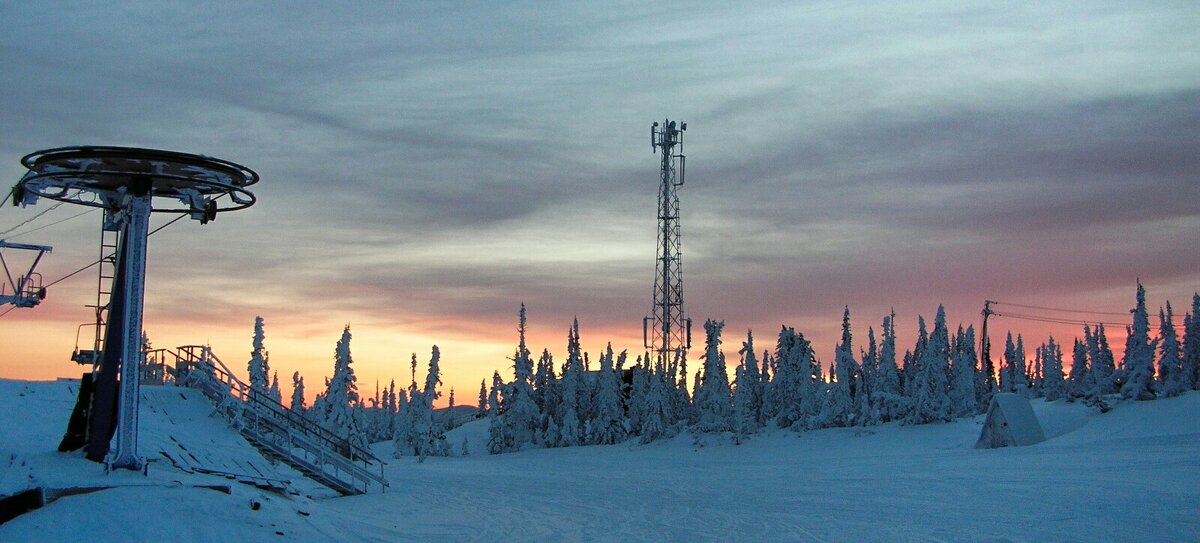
x=129, y=184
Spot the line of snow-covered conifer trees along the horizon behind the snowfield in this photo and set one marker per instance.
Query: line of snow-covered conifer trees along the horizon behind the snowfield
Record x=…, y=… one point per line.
x=644, y=398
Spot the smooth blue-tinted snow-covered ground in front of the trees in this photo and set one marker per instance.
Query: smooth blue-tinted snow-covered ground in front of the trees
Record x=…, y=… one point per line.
x=1129, y=475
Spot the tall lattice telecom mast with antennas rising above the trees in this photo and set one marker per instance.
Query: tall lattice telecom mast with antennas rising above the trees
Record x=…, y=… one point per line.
x=668, y=331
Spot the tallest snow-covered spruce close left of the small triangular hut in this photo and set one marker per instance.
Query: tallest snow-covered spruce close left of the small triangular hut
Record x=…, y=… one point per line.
x=931, y=403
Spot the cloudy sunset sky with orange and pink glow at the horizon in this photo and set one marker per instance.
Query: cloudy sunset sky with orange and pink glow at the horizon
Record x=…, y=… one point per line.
x=427, y=168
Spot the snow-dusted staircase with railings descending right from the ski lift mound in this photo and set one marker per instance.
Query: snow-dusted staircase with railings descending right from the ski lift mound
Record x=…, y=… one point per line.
x=278, y=432
